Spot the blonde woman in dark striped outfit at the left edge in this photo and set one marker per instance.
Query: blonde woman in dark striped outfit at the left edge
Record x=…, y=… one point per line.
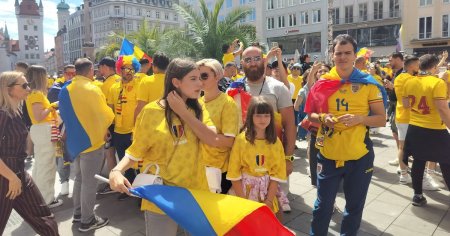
x=17, y=189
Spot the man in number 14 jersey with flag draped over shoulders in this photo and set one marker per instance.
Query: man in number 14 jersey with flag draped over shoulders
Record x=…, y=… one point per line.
x=341, y=102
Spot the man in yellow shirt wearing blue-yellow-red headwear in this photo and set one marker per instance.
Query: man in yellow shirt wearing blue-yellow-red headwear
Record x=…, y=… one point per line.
x=122, y=98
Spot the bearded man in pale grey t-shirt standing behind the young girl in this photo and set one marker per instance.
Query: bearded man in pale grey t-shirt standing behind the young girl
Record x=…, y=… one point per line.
x=277, y=94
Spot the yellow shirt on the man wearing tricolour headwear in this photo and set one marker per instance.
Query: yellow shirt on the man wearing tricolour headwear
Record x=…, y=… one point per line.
x=123, y=98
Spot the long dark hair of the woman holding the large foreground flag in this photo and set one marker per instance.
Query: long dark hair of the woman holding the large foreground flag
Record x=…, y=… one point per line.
x=178, y=68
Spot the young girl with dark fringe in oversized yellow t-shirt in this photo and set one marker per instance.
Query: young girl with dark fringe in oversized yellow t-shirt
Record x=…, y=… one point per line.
x=257, y=162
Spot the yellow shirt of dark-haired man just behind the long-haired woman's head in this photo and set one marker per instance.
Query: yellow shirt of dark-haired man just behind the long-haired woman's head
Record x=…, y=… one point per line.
x=151, y=88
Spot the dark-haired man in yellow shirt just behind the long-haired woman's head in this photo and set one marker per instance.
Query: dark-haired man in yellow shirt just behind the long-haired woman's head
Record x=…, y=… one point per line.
x=152, y=88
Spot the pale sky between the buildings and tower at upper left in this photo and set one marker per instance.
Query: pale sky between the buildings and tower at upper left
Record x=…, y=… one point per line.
x=8, y=16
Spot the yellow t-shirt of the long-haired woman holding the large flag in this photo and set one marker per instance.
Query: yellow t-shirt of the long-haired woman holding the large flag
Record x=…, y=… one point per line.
x=178, y=155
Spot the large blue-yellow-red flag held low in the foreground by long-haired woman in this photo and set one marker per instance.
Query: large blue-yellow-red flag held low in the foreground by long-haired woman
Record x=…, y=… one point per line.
x=204, y=213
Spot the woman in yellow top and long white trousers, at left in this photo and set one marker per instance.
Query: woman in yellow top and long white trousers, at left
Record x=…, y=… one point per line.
x=43, y=116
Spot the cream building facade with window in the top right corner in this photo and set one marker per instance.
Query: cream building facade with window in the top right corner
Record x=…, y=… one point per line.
x=426, y=26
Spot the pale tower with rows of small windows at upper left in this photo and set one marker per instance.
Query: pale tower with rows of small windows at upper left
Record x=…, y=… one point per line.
x=30, y=22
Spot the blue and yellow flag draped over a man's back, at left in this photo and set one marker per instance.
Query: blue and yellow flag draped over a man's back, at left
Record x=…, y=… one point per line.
x=86, y=116
